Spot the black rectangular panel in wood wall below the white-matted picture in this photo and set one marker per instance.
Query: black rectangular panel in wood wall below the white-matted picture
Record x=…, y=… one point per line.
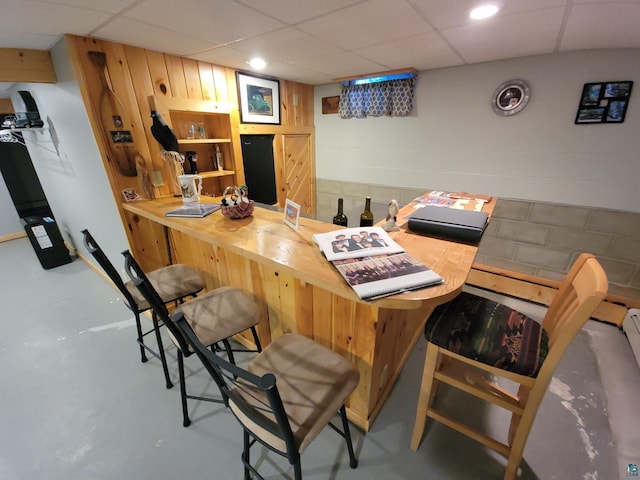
x=259, y=168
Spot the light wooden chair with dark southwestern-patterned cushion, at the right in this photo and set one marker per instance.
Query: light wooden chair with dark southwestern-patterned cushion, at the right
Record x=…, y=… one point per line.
x=472, y=339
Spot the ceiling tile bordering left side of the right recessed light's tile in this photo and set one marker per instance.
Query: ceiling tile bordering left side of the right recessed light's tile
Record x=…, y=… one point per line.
x=367, y=24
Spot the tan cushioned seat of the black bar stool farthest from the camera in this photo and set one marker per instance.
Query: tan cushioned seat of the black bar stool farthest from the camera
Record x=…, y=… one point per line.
x=171, y=282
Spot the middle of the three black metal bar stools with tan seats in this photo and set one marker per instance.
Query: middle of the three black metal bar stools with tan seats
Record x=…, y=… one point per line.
x=215, y=317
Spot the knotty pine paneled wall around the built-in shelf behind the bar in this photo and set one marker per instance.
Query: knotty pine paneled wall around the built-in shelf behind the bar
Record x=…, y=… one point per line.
x=134, y=74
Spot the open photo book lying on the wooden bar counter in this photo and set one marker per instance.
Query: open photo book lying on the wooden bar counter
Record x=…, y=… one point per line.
x=373, y=264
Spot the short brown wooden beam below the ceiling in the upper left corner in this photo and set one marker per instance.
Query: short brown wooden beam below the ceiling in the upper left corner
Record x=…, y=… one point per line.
x=22, y=65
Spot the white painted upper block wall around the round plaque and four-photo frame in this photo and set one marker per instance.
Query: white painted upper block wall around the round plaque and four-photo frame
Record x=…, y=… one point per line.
x=454, y=140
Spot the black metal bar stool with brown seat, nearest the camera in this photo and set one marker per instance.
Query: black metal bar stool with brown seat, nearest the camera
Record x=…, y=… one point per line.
x=285, y=397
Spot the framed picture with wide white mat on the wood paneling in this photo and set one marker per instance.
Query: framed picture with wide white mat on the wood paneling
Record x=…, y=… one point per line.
x=259, y=99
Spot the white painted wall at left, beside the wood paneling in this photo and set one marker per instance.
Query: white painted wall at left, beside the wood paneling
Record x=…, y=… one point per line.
x=73, y=178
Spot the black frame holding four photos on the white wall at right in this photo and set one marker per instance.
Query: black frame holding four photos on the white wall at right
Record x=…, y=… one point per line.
x=604, y=102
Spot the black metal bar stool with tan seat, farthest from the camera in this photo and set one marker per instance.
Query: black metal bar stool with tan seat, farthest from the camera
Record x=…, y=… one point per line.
x=173, y=282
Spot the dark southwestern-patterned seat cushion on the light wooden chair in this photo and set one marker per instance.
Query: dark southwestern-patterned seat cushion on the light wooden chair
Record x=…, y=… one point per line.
x=489, y=332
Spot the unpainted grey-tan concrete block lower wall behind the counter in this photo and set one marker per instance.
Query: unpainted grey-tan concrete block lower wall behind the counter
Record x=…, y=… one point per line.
x=531, y=237
